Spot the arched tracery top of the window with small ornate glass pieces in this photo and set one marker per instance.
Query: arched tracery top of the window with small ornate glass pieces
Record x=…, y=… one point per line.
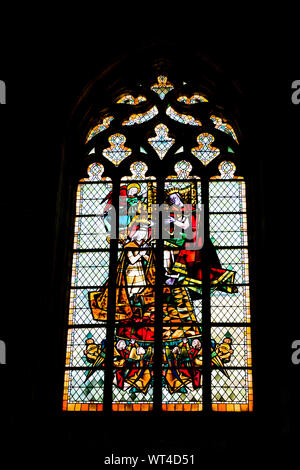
x=164, y=108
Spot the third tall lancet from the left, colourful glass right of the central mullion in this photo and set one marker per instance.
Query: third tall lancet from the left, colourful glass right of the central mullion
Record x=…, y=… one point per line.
x=182, y=315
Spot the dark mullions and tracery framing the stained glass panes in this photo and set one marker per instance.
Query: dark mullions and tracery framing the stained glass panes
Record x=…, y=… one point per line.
x=205, y=173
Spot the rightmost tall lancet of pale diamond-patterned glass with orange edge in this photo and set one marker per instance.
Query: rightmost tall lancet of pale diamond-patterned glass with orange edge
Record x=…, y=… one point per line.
x=231, y=390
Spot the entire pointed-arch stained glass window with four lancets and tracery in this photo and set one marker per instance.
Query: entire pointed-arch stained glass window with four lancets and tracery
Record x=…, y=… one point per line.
x=159, y=303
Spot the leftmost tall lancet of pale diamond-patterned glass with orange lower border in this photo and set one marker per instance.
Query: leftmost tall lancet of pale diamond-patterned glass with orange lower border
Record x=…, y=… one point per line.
x=86, y=335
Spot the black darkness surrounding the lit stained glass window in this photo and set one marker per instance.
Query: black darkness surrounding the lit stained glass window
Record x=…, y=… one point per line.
x=46, y=62
